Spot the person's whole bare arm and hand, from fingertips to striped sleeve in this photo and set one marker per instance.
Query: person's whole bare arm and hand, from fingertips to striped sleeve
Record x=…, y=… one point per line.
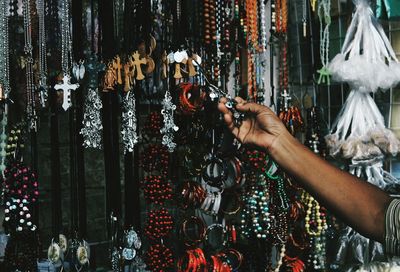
x=358, y=203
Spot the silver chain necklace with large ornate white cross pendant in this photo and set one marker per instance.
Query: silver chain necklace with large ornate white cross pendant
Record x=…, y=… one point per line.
x=66, y=57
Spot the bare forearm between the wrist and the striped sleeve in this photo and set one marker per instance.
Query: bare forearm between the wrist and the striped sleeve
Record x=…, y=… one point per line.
x=358, y=203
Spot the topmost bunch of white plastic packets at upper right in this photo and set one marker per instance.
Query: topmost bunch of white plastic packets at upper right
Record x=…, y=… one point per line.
x=367, y=60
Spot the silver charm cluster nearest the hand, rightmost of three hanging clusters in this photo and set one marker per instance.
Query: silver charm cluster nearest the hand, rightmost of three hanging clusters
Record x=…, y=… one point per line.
x=169, y=125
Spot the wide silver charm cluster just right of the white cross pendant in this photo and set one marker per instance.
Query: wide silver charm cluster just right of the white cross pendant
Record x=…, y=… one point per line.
x=92, y=125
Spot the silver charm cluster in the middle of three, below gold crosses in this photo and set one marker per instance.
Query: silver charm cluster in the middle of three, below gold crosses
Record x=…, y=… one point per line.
x=129, y=123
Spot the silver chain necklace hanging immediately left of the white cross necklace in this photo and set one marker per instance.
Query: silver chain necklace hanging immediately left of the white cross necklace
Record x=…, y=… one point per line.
x=42, y=54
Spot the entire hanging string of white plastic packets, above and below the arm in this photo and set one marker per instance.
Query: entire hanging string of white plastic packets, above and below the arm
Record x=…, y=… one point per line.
x=367, y=63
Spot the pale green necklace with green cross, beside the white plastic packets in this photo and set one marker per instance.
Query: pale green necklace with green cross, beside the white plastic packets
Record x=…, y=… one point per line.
x=324, y=9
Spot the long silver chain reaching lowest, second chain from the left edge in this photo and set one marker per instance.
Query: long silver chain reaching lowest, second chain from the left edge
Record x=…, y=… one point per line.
x=30, y=85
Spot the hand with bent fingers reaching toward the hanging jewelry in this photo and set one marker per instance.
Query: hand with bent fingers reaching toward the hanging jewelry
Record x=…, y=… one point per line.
x=260, y=127
